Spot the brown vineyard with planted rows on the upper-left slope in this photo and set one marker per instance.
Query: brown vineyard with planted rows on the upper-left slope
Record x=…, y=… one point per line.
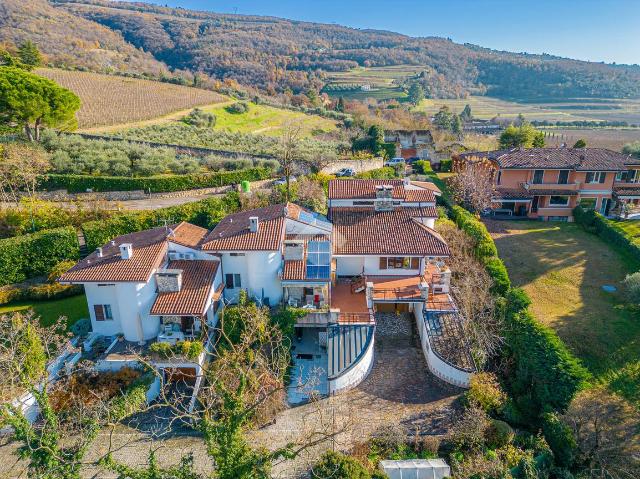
x=114, y=100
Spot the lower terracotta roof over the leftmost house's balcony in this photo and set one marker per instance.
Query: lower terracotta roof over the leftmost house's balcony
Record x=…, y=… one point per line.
x=191, y=300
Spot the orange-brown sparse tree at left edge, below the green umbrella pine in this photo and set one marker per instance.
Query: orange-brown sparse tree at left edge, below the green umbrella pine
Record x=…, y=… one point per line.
x=21, y=169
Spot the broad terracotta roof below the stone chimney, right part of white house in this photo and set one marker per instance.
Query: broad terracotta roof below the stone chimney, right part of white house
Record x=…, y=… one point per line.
x=361, y=231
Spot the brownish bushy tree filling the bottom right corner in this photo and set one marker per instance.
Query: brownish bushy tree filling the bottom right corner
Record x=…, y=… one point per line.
x=607, y=433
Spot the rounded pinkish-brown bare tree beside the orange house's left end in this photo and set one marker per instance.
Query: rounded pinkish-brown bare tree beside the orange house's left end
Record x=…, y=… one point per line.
x=473, y=186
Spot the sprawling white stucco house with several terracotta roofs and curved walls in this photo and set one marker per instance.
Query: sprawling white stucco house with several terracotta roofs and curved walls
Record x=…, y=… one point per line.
x=376, y=251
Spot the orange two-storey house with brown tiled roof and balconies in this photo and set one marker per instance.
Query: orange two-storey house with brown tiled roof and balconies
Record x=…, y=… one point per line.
x=547, y=183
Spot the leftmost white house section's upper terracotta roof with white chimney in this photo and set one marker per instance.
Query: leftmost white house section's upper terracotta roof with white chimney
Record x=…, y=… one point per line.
x=149, y=249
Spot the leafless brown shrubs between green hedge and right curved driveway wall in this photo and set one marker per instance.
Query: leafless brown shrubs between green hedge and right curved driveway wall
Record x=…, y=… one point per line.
x=471, y=289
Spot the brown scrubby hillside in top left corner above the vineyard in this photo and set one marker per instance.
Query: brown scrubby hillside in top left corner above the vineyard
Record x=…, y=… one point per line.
x=70, y=40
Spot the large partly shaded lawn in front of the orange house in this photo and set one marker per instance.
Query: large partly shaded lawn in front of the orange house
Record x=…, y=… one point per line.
x=563, y=269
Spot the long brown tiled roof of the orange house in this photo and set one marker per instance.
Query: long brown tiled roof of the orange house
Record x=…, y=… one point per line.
x=580, y=159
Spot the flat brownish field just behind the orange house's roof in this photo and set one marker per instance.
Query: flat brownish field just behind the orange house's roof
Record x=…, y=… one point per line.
x=612, y=138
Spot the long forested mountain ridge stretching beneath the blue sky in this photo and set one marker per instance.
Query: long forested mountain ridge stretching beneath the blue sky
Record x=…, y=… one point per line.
x=276, y=54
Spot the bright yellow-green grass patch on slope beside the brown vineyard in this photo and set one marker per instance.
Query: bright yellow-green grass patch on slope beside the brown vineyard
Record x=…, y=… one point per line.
x=267, y=120
